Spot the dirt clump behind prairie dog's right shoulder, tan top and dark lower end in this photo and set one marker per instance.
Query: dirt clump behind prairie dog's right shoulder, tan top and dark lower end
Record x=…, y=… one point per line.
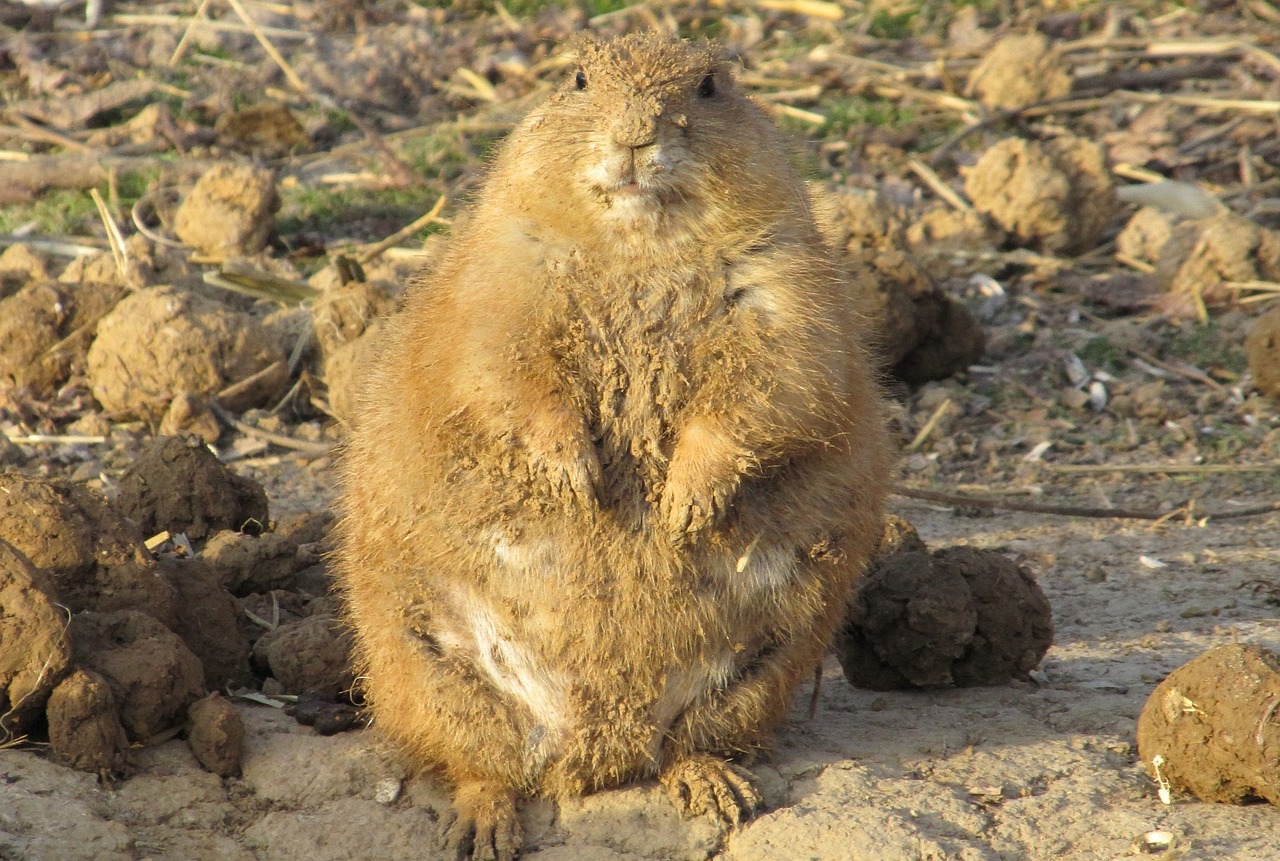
x=922, y=333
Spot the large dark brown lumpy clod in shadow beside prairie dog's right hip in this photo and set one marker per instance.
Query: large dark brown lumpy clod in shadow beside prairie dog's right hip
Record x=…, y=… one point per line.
x=962, y=616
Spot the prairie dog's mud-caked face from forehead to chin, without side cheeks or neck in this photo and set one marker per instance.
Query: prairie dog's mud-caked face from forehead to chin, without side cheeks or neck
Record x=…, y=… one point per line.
x=656, y=116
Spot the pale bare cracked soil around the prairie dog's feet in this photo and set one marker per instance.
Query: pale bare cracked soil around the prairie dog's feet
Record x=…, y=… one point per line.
x=1026, y=771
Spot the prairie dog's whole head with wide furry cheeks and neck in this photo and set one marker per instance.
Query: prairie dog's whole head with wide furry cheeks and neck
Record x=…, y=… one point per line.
x=652, y=134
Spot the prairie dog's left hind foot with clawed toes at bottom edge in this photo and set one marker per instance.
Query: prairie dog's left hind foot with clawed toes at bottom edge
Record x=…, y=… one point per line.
x=483, y=825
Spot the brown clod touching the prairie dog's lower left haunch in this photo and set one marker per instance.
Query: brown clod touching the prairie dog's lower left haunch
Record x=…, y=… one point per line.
x=312, y=654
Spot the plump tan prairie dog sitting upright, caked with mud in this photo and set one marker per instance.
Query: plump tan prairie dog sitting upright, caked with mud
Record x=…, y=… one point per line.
x=620, y=461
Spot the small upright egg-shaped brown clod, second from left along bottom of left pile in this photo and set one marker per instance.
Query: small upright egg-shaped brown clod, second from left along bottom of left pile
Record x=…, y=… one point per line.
x=85, y=725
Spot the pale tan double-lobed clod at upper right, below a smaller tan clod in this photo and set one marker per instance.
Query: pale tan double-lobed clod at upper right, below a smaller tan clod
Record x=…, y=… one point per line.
x=1055, y=196
